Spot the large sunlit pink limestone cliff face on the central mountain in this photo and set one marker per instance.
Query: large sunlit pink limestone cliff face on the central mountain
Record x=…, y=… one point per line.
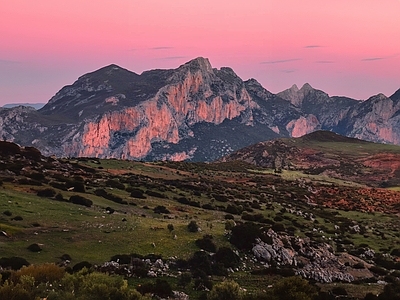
x=166, y=117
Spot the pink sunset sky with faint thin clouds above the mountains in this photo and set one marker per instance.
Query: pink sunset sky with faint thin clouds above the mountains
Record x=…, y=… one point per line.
x=349, y=48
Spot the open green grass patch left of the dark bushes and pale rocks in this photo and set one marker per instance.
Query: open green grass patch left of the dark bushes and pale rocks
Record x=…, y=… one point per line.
x=93, y=235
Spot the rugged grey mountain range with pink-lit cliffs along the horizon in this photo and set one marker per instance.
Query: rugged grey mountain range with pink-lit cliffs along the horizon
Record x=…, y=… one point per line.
x=194, y=112
